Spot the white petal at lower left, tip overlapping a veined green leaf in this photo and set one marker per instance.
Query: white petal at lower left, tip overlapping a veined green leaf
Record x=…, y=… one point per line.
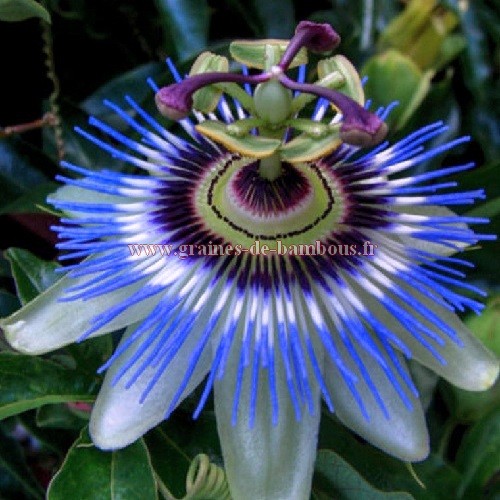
x=118, y=417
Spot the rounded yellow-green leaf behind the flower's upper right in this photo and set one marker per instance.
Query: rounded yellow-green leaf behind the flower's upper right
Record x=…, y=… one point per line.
x=412, y=84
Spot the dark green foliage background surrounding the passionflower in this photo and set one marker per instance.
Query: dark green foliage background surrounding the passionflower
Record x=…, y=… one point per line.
x=107, y=48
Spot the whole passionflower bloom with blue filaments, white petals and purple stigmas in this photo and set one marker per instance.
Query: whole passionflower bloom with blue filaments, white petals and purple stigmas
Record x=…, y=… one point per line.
x=265, y=250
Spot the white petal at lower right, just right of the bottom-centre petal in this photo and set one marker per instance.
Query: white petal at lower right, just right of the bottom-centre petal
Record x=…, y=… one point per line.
x=404, y=434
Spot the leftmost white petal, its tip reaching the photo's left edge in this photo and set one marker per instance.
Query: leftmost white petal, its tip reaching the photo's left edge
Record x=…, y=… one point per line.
x=46, y=323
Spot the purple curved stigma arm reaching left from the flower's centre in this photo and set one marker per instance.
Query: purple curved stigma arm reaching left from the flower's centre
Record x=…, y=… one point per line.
x=176, y=101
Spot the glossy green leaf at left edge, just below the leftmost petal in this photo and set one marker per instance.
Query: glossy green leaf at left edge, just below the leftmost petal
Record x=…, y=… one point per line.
x=27, y=382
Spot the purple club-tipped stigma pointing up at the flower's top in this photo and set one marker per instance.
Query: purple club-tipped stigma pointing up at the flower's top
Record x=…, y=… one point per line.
x=314, y=36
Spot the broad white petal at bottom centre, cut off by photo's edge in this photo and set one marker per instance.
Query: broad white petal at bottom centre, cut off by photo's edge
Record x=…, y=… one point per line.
x=265, y=461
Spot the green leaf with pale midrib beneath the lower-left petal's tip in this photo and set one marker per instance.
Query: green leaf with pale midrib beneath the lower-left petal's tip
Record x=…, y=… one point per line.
x=91, y=474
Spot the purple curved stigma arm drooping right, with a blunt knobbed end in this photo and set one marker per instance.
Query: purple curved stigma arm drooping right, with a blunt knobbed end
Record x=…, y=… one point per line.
x=359, y=127
